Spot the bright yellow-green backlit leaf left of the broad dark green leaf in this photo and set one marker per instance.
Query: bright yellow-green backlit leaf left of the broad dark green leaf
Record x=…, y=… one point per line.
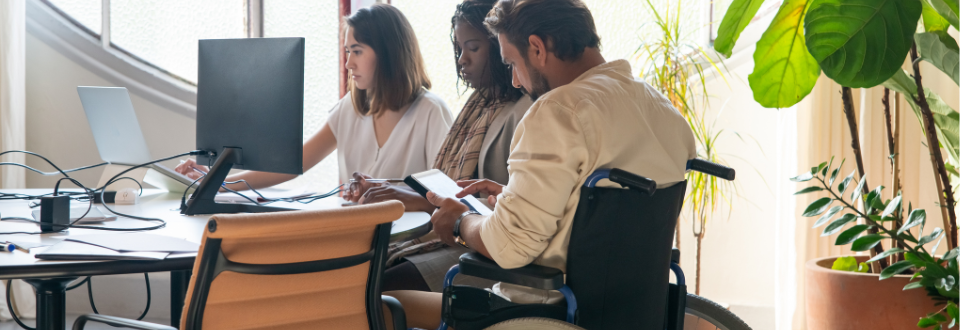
x=784, y=72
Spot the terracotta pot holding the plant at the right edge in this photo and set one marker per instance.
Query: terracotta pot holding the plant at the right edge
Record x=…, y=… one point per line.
x=849, y=300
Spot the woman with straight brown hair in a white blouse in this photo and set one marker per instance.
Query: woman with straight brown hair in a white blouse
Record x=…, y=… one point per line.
x=388, y=125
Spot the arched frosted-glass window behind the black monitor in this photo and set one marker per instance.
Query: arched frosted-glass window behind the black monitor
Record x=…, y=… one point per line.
x=164, y=34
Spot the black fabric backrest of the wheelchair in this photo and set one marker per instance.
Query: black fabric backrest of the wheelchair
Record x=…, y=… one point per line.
x=618, y=259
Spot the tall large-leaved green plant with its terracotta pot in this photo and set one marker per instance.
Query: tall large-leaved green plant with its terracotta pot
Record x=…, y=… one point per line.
x=862, y=44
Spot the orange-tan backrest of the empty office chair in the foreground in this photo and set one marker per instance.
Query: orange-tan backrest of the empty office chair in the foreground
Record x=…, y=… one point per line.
x=291, y=270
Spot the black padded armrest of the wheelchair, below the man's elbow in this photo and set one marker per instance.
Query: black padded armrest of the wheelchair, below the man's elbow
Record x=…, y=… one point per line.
x=534, y=276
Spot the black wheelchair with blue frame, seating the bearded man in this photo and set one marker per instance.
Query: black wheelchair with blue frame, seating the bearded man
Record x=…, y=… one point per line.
x=618, y=268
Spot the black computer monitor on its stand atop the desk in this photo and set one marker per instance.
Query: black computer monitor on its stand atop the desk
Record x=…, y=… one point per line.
x=249, y=114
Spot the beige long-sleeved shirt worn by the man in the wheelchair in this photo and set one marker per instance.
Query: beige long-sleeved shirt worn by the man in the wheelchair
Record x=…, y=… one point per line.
x=605, y=118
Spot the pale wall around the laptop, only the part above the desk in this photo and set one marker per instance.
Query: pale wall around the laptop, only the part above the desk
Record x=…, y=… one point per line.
x=57, y=126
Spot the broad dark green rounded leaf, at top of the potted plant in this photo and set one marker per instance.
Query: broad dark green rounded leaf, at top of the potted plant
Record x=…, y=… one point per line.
x=861, y=43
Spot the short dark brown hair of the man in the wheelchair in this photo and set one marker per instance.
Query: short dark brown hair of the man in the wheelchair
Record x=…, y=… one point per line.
x=567, y=24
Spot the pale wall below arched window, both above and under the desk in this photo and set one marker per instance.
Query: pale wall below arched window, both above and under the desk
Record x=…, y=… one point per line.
x=57, y=128
